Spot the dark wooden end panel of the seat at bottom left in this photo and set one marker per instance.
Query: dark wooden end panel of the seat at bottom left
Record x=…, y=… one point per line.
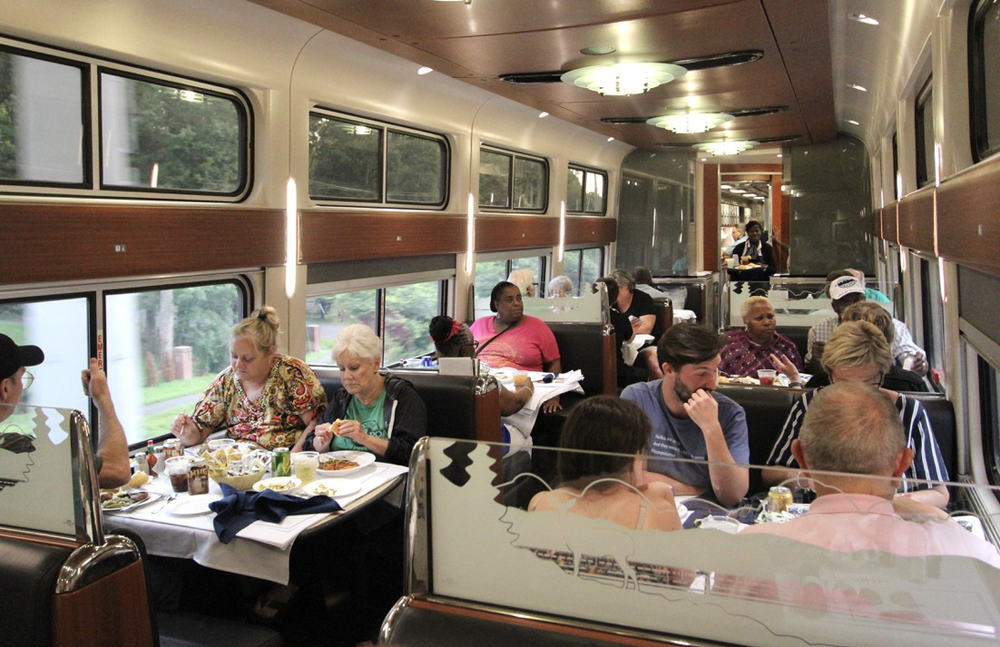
x=112, y=612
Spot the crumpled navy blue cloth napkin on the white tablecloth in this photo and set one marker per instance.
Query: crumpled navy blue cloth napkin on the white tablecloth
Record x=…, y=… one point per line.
x=236, y=509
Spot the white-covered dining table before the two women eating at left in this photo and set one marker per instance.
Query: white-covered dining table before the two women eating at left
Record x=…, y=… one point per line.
x=175, y=525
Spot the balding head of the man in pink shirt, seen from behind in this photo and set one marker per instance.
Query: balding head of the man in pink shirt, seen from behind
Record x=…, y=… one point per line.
x=854, y=428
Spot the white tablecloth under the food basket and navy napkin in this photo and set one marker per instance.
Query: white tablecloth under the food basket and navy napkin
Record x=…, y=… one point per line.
x=261, y=549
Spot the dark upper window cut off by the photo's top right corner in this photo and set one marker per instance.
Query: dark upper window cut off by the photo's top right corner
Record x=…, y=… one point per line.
x=984, y=78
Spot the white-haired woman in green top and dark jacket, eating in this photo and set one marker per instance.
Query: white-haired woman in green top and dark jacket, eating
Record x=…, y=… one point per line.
x=375, y=412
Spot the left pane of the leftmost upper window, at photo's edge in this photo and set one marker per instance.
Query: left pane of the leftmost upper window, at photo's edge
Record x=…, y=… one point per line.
x=42, y=124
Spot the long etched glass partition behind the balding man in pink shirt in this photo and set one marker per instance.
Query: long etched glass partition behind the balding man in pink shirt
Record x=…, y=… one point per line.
x=846, y=569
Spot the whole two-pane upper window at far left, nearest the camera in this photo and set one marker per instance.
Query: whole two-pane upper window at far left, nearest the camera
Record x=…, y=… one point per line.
x=158, y=133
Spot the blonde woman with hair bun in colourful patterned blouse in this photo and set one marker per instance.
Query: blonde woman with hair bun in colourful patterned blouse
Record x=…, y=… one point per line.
x=263, y=396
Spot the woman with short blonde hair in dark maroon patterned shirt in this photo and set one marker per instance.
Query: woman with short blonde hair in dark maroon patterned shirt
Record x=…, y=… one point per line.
x=759, y=345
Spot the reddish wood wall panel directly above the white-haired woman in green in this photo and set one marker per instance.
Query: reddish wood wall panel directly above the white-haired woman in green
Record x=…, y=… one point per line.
x=339, y=236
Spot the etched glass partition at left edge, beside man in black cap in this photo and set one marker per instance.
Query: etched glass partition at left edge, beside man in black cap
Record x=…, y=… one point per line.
x=41, y=473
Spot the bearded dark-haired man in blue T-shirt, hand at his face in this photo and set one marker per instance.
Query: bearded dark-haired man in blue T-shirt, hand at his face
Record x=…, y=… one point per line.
x=691, y=421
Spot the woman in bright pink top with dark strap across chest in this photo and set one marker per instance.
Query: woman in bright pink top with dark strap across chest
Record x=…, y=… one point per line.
x=512, y=339
